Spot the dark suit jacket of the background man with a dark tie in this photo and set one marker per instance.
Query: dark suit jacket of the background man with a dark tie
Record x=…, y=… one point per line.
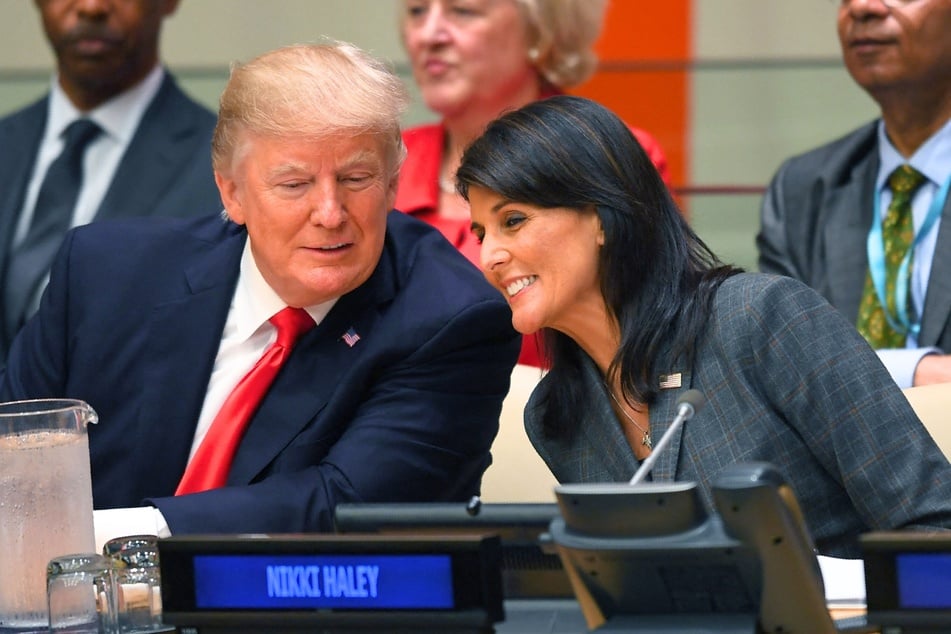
x=166, y=170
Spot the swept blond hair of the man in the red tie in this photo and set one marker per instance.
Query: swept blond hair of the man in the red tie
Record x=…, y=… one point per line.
x=309, y=91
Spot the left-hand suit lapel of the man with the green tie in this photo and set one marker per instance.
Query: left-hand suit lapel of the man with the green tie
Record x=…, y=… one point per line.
x=845, y=236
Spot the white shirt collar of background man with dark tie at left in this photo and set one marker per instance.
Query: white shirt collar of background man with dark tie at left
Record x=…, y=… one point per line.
x=119, y=117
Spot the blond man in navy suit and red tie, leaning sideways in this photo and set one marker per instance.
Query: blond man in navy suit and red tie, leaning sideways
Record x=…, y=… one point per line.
x=394, y=392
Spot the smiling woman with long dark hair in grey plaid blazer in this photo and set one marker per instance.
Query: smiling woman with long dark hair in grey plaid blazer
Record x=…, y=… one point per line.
x=581, y=236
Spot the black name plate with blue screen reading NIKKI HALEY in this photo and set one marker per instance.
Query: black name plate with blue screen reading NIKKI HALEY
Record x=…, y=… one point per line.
x=300, y=581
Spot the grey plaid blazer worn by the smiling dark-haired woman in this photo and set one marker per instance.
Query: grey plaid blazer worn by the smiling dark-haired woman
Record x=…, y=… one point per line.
x=787, y=381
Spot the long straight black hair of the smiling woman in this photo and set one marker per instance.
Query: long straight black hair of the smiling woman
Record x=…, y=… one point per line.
x=657, y=276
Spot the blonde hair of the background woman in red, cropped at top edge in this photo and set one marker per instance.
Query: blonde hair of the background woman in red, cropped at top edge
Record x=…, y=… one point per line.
x=563, y=34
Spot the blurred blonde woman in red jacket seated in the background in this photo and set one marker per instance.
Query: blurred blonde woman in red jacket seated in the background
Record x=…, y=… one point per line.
x=472, y=61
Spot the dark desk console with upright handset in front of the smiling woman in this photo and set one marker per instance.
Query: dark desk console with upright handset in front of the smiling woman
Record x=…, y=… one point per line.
x=650, y=559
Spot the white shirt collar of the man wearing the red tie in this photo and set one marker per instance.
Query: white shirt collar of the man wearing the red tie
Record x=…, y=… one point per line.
x=255, y=301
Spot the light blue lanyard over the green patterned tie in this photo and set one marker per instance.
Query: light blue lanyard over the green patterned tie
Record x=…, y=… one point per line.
x=876, y=261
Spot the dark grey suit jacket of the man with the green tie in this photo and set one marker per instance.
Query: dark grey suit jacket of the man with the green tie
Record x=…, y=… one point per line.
x=816, y=217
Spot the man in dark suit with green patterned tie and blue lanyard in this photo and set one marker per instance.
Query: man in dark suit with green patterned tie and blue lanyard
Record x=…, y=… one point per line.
x=860, y=219
